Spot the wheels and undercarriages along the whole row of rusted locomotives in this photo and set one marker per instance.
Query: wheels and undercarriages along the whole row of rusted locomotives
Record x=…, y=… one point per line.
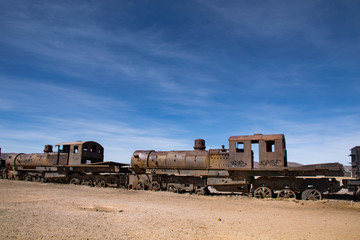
x=306, y=188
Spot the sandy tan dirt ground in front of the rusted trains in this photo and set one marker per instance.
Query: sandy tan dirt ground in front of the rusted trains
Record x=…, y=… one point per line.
x=30, y=210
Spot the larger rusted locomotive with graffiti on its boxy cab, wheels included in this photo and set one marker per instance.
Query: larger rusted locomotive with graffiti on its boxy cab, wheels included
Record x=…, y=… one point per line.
x=234, y=170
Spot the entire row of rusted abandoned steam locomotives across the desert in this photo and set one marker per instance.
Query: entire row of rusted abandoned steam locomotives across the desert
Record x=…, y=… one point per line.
x=199, y=171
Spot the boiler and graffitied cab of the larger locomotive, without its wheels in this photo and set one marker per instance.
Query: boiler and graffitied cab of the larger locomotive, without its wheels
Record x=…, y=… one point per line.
x=239, y=156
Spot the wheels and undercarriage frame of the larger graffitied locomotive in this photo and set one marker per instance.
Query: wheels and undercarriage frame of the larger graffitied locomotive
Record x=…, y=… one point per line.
x=235, y=182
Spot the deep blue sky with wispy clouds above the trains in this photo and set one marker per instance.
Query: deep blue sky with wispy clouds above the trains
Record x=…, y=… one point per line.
x=158, y=74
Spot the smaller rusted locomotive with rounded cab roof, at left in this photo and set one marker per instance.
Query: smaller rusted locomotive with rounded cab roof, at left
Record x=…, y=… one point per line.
x=74, y=162
